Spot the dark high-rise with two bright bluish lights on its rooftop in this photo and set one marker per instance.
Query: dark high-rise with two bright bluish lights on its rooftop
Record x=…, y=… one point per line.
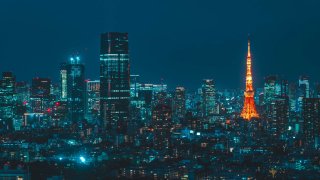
x=75, y=89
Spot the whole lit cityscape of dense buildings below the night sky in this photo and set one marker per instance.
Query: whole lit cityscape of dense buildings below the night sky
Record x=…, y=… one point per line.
x=121, y=127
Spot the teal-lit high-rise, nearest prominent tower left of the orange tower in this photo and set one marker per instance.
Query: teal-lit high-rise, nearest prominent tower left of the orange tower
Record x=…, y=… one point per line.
x=208, y=97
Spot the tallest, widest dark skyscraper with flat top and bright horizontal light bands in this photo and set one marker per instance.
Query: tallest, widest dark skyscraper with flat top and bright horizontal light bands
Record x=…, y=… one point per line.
x=114, y=81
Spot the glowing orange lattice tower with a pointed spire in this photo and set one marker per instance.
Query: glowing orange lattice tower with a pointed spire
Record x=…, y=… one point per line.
x=249, y=108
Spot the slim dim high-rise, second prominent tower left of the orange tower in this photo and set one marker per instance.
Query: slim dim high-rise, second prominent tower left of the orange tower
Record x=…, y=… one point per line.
x=179, y=104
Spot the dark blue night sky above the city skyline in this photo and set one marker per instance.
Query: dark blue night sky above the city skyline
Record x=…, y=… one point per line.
x=182, y=41
